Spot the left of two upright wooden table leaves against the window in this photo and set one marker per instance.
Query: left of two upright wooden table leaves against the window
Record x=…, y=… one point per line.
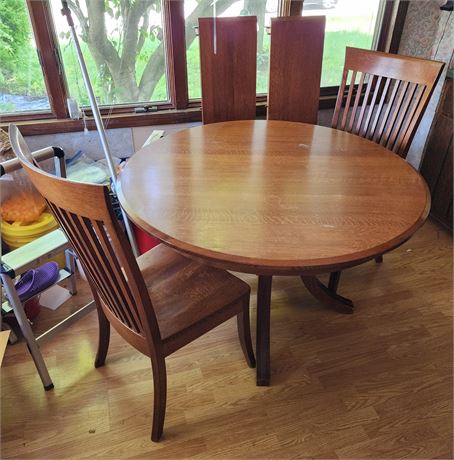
x=228, y=63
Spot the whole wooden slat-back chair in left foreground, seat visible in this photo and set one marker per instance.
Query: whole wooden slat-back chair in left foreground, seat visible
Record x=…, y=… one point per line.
x=159, y=302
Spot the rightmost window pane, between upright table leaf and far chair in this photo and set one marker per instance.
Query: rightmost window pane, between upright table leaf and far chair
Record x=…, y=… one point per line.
x=348, y=23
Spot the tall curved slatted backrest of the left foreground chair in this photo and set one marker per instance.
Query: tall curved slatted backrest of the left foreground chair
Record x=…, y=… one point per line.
x=85, y=213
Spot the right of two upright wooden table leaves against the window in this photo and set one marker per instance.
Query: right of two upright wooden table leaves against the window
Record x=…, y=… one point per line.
x=296, y=55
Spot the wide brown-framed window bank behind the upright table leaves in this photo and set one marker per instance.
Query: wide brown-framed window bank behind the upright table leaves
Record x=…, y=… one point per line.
x=146, y=52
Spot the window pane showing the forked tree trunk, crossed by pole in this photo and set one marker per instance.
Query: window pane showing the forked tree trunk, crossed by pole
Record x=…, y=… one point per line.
x=124, y=49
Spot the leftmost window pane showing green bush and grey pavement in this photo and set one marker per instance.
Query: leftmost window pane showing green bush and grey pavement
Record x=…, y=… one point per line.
x=22, y=87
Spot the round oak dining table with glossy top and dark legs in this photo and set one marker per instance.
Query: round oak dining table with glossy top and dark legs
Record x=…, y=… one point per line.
x=274, y=198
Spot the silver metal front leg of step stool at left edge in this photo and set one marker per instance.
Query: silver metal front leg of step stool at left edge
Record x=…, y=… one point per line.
x=24, y=325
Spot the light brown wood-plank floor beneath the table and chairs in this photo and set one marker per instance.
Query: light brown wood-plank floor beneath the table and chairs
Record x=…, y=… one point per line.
x=377, y=384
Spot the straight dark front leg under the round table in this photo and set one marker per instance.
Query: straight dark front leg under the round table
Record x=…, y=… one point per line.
x=263, y=330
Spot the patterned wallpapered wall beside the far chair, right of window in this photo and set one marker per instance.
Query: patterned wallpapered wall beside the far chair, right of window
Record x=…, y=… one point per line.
x=428, y=33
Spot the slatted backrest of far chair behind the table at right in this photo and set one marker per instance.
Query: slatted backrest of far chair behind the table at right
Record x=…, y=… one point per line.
x=390, y=98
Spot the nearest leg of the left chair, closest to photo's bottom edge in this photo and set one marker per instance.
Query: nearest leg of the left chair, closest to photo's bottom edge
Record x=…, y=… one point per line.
x=160, y=396
